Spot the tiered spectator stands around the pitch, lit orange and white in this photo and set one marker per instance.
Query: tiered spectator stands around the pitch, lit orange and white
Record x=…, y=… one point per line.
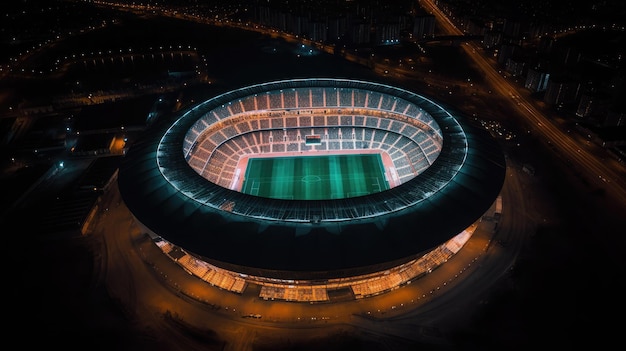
x=347, y=119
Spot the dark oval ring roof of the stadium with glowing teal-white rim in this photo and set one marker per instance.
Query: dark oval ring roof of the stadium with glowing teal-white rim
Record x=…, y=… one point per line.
x=321, y=238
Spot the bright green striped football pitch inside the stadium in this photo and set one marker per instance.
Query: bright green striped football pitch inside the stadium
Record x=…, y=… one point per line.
x=315, y=177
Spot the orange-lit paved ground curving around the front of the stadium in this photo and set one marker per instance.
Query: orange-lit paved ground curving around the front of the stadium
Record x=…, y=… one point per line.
x=150, y=286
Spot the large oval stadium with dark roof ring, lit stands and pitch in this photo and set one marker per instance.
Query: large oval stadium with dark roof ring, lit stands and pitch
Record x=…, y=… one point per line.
x=312, y=189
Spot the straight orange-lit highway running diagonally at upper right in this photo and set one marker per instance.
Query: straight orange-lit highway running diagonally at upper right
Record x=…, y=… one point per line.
x=600, y=171
